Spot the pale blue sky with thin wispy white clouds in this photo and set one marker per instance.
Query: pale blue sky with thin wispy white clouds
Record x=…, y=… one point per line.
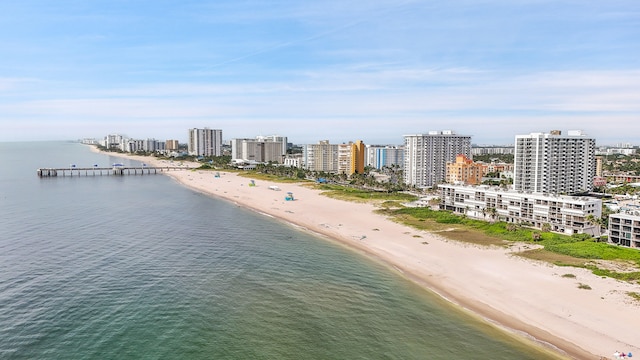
x=337, y=70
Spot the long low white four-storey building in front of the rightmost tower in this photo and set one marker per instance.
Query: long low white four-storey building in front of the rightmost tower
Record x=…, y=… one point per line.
x=565, y=214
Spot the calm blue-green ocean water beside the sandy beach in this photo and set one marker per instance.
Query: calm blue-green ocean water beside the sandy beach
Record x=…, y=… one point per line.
x=141, y=267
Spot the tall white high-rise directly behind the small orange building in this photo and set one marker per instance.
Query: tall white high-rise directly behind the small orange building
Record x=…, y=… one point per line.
x=426, y=156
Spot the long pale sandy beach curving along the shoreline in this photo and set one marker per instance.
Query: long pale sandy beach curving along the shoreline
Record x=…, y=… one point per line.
x=528, y=298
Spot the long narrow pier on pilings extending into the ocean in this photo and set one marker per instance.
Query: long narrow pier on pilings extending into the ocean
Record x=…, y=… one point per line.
x=114, y=170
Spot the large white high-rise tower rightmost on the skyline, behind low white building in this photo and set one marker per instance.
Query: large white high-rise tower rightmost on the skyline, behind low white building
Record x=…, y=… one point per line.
x=554, y=163
